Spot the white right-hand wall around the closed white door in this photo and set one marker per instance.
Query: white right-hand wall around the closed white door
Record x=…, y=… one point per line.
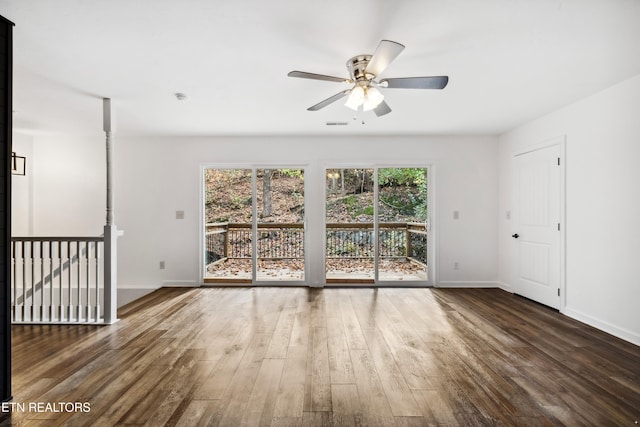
x=602, y=205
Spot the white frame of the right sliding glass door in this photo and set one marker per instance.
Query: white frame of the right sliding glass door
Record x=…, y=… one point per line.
x=431, y=215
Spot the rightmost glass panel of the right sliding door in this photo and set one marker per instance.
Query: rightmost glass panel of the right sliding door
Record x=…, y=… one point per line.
x=402, y=224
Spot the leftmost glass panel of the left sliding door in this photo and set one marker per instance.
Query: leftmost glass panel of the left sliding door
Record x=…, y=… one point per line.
x=228, y=221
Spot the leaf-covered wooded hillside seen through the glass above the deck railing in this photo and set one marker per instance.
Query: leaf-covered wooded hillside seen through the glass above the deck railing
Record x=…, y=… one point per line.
x=349, y=195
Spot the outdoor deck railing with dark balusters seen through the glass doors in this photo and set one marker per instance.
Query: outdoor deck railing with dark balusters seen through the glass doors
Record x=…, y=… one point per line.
x=344, y=240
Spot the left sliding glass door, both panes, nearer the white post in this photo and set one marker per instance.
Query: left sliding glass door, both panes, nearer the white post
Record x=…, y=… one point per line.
x=254, y=225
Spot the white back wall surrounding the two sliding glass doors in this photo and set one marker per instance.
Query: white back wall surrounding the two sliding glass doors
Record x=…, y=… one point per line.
x=156, y=176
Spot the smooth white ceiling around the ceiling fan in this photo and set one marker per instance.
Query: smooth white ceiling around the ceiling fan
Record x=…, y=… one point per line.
x=509, y=61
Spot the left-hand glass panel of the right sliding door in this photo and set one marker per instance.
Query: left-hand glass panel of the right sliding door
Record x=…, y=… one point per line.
x=349, y=253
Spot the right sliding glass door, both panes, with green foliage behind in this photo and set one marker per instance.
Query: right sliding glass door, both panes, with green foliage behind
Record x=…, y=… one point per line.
x=376, y=222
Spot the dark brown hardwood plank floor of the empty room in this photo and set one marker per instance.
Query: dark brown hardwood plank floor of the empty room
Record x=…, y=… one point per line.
x=298, y=356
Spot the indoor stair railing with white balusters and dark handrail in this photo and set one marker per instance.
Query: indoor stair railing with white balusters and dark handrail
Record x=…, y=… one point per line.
x=57, y=279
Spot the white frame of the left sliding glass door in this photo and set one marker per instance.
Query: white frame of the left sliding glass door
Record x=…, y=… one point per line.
x=254, y=223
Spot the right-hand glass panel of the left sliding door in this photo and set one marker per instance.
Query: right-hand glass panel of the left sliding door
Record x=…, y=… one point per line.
x=280, y=233
